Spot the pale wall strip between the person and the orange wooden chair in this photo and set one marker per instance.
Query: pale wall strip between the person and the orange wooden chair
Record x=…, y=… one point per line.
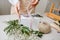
x=42, y=6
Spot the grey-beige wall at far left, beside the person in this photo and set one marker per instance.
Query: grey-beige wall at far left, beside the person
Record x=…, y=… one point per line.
x=4, y=7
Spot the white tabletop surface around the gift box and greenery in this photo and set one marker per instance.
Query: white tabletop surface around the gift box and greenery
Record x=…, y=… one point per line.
x=3, y=18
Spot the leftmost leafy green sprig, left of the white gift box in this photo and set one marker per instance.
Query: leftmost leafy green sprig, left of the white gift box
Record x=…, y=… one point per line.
x=12, y=26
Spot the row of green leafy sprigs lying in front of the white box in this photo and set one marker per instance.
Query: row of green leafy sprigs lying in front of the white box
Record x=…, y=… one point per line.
x=14, y=27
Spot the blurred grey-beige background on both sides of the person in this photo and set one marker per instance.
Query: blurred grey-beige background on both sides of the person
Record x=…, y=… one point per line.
x=43, y=6
